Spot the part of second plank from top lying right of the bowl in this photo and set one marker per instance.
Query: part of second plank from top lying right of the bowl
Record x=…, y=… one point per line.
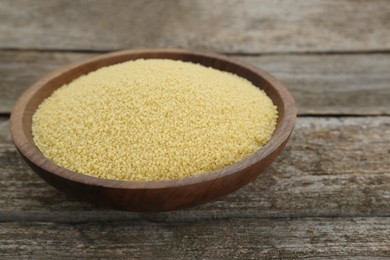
x=333, y=84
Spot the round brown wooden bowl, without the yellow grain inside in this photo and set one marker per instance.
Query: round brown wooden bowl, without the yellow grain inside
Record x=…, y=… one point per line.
x=151, y=195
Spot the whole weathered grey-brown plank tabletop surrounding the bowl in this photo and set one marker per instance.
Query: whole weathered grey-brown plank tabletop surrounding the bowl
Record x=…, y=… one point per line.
x=327, y=195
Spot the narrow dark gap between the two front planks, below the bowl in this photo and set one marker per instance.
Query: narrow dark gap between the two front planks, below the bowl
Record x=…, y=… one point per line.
x=104, y=215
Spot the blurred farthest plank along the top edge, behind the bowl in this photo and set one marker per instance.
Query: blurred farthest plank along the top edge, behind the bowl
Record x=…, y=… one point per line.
x=223, y=26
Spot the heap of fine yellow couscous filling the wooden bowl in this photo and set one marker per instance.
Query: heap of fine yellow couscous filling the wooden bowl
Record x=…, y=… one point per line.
x=153, y=119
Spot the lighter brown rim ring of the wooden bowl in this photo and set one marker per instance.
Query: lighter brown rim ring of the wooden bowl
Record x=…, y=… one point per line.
x=32, y=153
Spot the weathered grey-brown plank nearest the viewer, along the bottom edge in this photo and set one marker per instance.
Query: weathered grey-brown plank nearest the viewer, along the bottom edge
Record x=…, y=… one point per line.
x=218, y=239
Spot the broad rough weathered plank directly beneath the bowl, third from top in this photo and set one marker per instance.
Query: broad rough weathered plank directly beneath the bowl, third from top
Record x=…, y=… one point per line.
x=331, y=167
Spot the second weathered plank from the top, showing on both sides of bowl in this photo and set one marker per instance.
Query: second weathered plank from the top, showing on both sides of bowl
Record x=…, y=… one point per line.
x=354, y=84
